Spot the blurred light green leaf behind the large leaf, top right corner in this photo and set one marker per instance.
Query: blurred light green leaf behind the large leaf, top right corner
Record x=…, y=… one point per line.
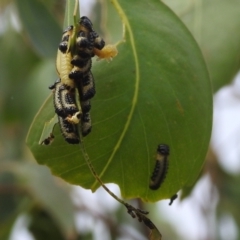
x=215, y=25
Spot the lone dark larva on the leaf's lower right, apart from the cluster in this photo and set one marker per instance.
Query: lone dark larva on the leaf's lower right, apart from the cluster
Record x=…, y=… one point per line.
x=161, y=167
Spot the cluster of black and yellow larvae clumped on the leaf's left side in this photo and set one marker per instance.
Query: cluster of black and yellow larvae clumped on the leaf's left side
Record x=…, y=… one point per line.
x=74, y=61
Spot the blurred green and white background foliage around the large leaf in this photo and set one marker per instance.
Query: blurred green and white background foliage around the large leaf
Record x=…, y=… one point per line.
x=47, y=207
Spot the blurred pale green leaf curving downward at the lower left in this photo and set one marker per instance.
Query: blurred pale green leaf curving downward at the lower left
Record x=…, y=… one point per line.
x=46, y=192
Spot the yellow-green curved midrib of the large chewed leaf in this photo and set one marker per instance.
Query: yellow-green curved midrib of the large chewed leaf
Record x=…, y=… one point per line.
x=136, y=87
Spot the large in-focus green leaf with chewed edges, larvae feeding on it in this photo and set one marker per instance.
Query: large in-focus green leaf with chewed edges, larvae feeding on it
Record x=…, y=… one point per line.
x=156, y=90
